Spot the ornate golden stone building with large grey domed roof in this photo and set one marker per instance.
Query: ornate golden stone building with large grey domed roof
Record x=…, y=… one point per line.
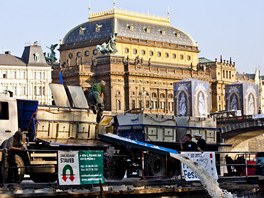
x=139, y=56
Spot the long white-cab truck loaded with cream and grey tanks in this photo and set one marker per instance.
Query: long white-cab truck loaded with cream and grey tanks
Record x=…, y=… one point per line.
x=70, y=125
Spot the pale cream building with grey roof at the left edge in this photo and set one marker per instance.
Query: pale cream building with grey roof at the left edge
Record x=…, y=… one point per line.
x=27, y=77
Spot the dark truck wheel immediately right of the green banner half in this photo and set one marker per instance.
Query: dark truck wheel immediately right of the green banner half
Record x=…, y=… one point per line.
x=114, y=167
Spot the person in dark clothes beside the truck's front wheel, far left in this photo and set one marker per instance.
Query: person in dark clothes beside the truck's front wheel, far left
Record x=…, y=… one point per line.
x=14, y=146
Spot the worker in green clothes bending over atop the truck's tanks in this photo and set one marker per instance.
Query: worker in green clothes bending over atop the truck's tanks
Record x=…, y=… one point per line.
x=96, y=99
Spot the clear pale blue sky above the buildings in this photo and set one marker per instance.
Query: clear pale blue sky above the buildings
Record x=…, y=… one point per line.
x=231, y=28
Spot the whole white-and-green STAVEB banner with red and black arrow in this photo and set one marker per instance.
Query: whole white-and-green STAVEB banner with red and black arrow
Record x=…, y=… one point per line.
x=80, y=167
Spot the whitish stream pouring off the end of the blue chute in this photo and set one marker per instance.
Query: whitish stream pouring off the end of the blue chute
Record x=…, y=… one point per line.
x=209, y=183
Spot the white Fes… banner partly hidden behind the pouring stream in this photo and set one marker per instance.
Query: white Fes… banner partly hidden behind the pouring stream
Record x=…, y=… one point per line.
x=206, y=160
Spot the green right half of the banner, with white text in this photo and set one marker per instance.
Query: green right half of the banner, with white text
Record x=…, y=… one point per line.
x=91, y=166
